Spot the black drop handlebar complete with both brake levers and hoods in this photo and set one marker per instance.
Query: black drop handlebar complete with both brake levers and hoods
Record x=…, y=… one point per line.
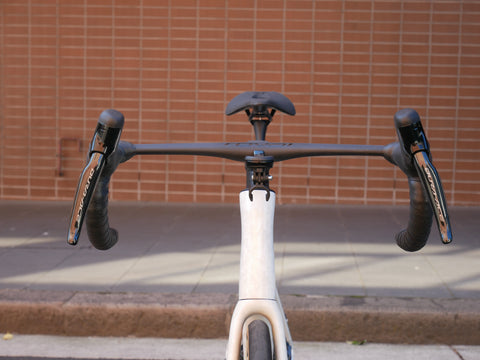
x=411, y=154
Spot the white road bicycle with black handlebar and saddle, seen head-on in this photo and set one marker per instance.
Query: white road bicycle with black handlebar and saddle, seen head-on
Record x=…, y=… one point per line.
x=259, y=328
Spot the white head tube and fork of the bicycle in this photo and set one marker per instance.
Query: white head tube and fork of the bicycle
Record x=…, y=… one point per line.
x=258, y=295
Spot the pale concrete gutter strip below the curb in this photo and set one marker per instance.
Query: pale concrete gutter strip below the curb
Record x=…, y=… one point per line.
x=83, y=348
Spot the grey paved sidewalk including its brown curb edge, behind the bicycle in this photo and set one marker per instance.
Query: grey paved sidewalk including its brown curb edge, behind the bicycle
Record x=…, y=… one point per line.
x=174, y=273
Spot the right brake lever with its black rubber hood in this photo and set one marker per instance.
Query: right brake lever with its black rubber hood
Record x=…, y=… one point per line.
x=415, y=144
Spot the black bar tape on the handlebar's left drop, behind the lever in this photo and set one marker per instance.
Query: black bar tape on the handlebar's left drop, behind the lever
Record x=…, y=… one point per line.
x=100, y=234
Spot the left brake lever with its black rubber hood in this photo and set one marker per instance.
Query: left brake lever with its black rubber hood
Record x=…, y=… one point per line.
x=104, y=142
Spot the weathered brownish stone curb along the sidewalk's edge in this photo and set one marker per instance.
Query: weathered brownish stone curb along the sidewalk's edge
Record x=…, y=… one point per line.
x=311, y=318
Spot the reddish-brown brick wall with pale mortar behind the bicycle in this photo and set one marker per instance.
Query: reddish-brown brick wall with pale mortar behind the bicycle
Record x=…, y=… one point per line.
x=172, y=66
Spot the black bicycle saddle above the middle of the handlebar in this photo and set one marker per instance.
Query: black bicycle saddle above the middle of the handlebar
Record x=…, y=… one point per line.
x=255, y=99
